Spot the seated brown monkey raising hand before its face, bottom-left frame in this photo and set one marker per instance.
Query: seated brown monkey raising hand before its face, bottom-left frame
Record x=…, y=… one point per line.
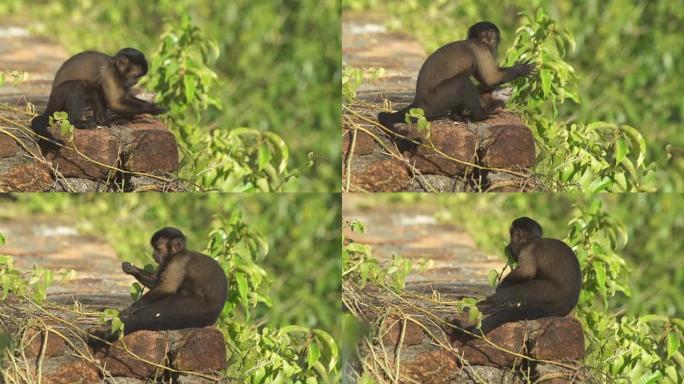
x=188, y=289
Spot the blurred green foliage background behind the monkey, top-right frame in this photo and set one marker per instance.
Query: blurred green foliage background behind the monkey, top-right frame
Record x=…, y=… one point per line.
x=628, y=60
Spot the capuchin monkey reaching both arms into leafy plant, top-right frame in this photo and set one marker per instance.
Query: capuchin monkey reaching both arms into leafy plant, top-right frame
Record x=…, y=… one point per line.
x=444, y=86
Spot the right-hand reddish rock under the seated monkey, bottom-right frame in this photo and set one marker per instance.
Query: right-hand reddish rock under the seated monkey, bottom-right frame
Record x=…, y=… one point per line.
x=558, y=339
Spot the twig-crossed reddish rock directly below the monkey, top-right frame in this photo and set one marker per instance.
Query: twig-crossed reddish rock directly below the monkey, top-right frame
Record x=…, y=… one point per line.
x=452, y=139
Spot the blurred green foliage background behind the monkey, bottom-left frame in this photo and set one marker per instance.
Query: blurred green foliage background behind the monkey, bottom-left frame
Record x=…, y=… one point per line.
x=302, y=232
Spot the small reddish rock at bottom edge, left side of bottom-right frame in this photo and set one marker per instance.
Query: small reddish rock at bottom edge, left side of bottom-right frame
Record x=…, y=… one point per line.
x=434, y=366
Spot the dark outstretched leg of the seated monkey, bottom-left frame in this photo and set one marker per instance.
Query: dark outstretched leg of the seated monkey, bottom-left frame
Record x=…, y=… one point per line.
x=172, y=312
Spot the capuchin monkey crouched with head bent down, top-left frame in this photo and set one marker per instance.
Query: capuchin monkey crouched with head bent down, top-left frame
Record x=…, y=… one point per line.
x=99, y=81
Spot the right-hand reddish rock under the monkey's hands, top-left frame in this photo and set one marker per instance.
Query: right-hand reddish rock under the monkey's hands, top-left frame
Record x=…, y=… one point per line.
x=152, y=148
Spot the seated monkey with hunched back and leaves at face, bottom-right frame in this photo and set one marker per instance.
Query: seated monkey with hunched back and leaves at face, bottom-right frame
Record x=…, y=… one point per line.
x=546, y=282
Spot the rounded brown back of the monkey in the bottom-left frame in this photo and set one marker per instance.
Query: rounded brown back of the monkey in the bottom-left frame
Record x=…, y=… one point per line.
x=205, y=278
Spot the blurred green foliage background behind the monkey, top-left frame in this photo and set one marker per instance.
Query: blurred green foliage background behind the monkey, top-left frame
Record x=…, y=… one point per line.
x=279, y=64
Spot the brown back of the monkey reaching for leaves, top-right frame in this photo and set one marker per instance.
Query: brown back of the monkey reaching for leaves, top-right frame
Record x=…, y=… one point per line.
x=448, y=61
